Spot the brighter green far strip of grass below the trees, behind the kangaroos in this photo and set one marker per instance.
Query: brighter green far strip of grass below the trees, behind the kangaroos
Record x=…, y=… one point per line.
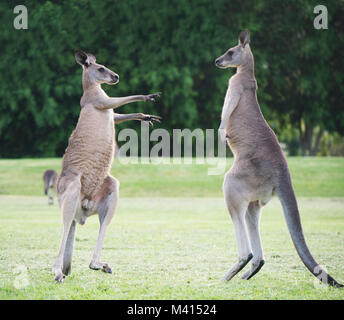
x=320, y=177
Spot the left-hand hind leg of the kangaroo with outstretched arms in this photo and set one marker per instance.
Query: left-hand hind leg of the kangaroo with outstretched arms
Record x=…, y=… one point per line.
x=69, y=199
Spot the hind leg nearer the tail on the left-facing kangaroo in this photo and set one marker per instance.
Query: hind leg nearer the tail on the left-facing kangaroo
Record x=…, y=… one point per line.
x=252, y=221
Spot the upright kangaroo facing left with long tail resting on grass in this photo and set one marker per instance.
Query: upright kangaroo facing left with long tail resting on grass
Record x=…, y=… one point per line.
x=260, y=169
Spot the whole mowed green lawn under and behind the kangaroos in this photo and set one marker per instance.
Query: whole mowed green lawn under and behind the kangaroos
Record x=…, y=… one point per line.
x=171, y=237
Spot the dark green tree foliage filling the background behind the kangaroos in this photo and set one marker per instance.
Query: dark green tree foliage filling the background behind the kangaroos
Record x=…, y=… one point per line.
x=168, y=46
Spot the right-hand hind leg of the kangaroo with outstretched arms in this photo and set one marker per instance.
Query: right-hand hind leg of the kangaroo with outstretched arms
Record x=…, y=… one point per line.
x=105, y=203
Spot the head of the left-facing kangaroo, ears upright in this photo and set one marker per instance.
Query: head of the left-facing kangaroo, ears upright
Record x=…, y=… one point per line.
x=237, y=56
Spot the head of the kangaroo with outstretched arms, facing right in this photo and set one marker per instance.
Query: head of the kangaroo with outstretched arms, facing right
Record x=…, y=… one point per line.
x=94, y=73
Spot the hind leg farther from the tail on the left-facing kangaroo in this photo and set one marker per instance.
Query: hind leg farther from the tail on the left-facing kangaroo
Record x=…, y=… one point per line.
x=237, y=207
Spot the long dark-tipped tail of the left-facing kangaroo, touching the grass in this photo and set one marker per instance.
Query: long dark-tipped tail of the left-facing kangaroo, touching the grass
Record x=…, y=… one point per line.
x=287, y=197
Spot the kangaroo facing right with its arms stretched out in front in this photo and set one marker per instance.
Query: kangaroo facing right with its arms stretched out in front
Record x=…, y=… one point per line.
x=85, y=186
